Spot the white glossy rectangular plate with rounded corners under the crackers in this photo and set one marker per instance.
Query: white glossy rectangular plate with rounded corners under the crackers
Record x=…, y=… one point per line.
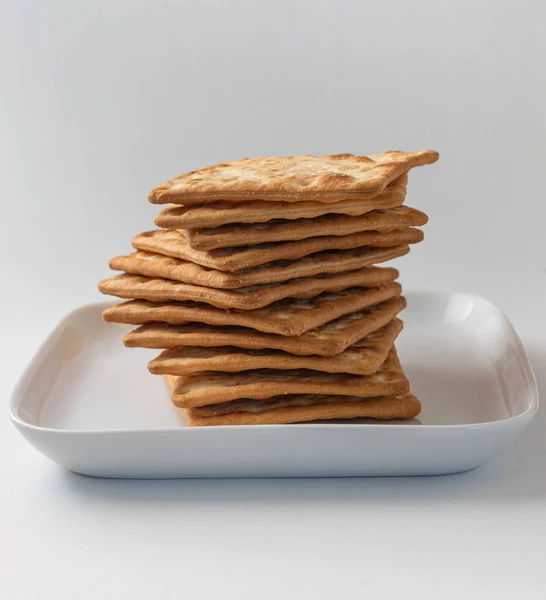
x=89, y=404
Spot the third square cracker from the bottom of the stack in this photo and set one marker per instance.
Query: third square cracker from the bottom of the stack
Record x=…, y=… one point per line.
x=363, y=358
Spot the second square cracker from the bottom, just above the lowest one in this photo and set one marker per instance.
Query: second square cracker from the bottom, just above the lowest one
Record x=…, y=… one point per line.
x=214, y=387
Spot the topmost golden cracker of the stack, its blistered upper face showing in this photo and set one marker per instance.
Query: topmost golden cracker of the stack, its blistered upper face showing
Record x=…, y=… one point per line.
x=291, y=178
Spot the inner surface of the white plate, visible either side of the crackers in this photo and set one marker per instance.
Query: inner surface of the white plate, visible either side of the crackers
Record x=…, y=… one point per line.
x=462, y=357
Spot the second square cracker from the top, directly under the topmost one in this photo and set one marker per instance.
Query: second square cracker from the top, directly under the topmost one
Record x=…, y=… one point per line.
x=215, y=214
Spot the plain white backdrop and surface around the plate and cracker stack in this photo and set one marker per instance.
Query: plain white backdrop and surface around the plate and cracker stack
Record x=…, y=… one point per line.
x=100, y=101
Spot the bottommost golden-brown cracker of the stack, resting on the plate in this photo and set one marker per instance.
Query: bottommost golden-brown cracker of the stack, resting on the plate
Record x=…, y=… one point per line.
x=302, y=408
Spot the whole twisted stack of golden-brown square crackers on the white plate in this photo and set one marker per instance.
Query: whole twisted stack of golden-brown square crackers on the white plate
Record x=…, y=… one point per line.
x=262, y=290
